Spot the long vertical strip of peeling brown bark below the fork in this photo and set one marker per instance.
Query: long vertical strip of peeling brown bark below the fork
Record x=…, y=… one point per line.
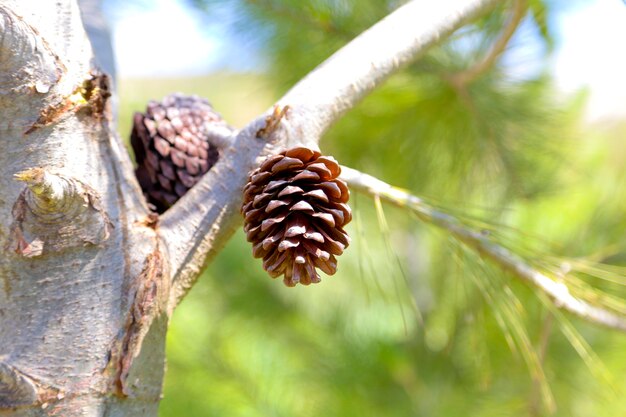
x=148, y=301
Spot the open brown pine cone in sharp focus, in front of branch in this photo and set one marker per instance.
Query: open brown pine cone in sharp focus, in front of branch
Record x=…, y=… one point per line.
x=295, y=209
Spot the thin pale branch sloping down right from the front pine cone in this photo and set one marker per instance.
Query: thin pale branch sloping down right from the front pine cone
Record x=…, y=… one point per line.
x=485, y=247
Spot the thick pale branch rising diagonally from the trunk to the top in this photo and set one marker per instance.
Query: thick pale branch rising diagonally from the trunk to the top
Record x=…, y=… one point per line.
x=202, y=221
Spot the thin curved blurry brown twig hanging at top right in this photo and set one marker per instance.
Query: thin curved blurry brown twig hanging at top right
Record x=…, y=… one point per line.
x=470, y=74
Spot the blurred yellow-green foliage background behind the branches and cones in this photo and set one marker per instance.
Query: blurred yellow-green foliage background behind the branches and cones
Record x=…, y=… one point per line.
x=413, y=323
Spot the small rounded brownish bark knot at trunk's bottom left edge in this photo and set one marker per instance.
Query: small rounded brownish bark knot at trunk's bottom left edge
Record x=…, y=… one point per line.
x=16, y=389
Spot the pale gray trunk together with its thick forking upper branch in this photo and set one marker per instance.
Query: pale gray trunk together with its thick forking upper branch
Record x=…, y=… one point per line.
x=86, y=271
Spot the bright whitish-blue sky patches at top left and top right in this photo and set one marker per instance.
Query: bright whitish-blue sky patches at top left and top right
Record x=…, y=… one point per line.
x=590, y=49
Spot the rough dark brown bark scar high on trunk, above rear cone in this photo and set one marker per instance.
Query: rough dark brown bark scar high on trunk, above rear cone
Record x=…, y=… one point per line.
x=91, y=97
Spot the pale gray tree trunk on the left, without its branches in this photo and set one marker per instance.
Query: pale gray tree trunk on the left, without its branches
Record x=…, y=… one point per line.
x=82, y=273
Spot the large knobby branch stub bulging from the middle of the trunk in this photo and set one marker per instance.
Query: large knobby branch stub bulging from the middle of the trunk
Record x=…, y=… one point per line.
x=54, y=213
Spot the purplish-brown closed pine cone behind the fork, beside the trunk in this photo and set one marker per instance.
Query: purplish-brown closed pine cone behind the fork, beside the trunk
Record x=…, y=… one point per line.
x=173, y=149
